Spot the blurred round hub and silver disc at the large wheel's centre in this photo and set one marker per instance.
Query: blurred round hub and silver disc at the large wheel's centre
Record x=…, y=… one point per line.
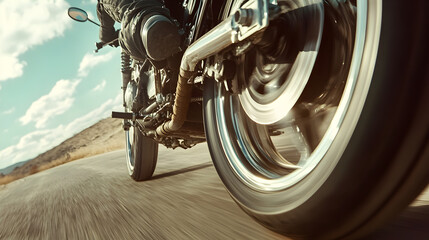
x=280, y=69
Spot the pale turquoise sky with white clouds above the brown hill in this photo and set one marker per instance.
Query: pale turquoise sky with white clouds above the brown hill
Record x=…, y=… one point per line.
x=52, y=84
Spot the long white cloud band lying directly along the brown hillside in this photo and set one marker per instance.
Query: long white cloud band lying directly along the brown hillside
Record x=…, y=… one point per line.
x=39, y=141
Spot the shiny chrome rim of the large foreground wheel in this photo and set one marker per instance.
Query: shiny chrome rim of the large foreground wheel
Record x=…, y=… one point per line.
x=253, y=144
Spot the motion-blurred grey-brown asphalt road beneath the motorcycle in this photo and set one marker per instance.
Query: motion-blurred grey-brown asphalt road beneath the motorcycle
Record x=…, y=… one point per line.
x=94, y=198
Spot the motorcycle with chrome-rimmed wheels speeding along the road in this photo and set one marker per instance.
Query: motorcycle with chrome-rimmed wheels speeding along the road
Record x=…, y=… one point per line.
x=314, y=111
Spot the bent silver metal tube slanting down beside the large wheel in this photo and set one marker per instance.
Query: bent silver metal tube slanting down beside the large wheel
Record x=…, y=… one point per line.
x=248, y=20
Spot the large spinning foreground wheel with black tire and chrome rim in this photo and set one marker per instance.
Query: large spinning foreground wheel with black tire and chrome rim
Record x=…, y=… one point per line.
x=331, y=145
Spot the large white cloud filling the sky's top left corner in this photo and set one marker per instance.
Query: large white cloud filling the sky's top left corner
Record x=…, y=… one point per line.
x=25, y=24
